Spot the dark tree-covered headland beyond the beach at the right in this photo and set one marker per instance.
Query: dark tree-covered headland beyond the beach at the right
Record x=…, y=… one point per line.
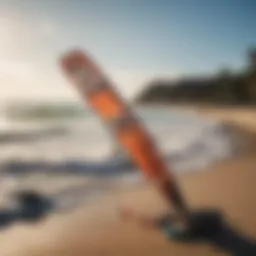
x=225, y=87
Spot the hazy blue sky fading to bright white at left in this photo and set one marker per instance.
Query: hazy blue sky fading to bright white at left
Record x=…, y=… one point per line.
x=133, y=41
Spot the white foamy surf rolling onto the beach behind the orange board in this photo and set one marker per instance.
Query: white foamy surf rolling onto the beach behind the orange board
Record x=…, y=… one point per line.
x=55, y=155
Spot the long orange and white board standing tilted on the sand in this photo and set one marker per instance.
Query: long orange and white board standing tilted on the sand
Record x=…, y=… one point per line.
x=96, y=89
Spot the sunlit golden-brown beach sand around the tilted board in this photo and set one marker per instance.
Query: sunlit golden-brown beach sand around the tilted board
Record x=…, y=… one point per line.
x=97, y=230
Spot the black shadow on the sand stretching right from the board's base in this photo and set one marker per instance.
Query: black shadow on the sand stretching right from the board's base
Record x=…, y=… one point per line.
x=209, y=227
